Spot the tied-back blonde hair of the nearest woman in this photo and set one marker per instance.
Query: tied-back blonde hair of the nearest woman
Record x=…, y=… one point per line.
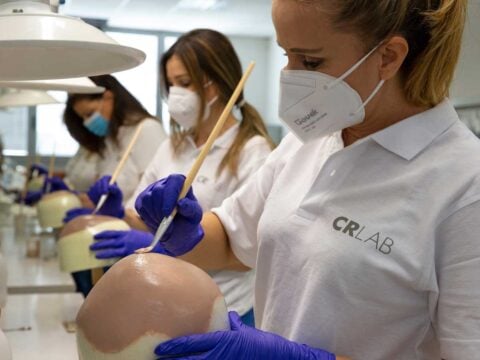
x=433, y=29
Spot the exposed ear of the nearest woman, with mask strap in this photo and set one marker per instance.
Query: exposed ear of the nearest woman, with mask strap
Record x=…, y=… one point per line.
x=394, y=52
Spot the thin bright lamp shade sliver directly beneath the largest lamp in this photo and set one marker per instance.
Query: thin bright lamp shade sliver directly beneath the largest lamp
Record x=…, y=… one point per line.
x=76, y=85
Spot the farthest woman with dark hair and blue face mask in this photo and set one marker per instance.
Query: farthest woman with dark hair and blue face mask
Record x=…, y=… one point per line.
x=103, y=125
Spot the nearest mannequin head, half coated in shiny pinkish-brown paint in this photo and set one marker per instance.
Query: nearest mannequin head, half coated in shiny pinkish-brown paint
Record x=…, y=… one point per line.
x=144, y=300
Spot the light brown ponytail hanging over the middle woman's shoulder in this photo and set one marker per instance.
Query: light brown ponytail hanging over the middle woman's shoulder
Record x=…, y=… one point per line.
x=250, y=126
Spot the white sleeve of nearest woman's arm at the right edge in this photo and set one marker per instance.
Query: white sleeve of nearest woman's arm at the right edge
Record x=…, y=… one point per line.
x=457, y=315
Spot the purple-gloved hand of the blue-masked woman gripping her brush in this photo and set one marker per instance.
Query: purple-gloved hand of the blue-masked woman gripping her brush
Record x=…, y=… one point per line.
x=113, y=206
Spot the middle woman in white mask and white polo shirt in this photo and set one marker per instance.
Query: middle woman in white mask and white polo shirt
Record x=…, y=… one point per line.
x=200, y=72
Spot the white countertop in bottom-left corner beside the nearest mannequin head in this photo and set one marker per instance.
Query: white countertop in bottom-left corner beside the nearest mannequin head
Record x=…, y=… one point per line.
x=45, y=314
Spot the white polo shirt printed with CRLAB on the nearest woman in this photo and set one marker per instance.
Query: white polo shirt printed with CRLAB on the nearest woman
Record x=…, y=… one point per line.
x=370, y=251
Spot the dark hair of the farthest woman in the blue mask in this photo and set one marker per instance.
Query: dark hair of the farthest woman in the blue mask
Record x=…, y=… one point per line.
x=127, y=111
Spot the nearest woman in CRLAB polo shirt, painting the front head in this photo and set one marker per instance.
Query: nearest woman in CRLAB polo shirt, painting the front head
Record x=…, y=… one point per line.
x=363, y=228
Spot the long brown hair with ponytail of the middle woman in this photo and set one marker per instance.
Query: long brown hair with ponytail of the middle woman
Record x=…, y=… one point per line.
x=209, y=54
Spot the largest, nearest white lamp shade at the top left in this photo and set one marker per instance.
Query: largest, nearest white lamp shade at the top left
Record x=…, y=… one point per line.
x=37, y=44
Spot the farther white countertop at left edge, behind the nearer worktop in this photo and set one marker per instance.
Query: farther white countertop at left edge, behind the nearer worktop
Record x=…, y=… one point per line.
x=30, y=275
